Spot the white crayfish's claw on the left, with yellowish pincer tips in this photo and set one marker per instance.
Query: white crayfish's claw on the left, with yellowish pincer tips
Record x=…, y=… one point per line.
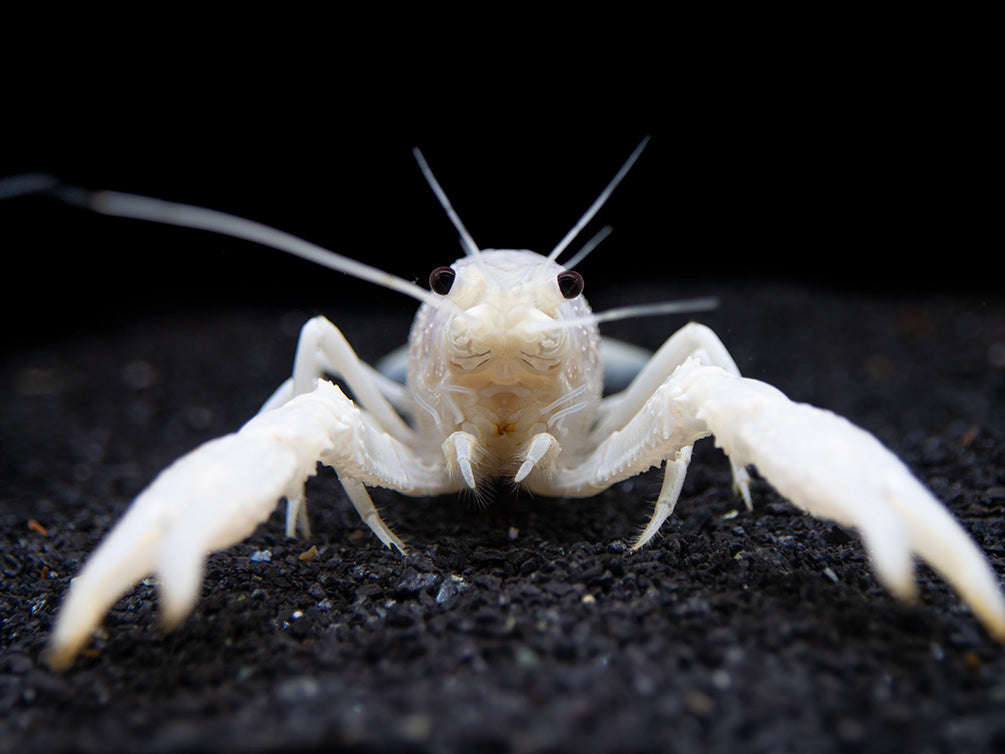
x=210, y=499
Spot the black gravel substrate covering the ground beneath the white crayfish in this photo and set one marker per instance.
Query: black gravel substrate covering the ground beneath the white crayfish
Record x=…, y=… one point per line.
x=523, y=626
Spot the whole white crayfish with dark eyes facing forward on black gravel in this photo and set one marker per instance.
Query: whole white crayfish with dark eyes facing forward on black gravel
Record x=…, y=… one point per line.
x=505, y=370
